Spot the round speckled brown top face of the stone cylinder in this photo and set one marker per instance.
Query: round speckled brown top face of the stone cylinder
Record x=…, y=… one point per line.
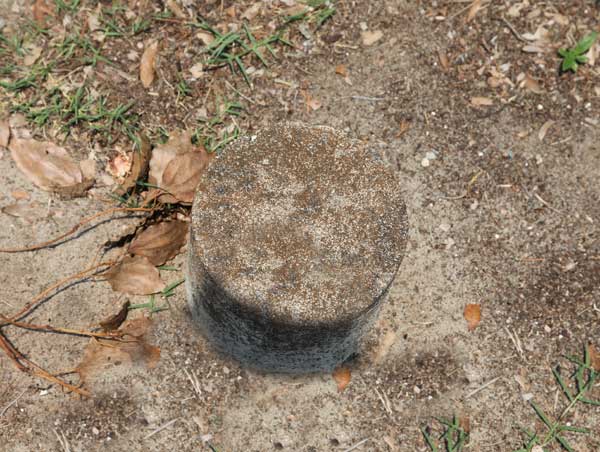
x=300, y=224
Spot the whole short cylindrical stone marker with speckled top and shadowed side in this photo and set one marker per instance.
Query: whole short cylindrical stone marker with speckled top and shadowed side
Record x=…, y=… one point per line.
x=297, y=234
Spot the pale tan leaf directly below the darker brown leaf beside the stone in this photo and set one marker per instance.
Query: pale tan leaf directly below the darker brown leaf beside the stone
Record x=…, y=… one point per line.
x=136, y=276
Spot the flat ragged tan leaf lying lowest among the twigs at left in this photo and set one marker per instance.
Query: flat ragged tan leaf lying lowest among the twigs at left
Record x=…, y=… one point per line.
x=104, y=356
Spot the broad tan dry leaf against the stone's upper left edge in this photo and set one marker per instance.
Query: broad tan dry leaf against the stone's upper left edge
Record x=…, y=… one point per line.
x=182, y=175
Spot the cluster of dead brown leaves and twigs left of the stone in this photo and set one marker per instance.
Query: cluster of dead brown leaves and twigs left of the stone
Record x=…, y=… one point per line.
x=160, y=182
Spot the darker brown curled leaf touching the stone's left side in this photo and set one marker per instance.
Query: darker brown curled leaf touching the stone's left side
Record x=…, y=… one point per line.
x=160, y=242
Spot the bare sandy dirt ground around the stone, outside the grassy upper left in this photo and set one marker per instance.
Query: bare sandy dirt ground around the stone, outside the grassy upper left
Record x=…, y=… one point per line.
x=498, y=217
